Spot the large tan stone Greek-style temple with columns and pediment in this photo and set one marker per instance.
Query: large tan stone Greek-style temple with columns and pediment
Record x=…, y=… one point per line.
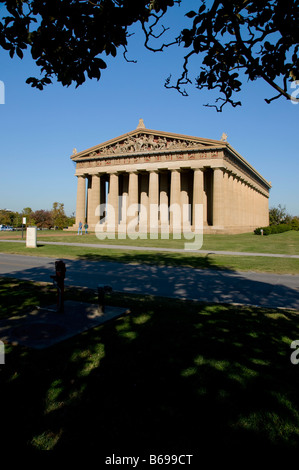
x=156, y=169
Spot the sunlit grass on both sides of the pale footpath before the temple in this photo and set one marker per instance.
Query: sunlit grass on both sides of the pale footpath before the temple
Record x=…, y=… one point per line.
x=285, y=243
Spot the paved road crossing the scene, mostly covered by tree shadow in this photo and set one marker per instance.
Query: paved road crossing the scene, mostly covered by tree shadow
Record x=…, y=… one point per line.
x=270, y=290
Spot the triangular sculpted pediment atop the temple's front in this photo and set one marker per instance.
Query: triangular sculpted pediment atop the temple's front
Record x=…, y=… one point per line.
x=145, y=141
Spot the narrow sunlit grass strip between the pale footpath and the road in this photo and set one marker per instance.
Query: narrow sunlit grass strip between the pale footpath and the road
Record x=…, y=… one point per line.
x=194, y=260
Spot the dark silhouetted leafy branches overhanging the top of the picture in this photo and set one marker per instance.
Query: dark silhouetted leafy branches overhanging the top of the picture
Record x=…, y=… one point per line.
x=232, y=40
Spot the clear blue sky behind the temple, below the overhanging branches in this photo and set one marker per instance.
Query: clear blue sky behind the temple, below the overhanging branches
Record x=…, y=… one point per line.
x=39, y=129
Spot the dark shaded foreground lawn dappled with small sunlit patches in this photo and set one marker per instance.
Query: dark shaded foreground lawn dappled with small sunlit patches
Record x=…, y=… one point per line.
x=171, y=376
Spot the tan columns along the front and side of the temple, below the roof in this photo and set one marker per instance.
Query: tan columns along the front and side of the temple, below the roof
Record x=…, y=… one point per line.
x=227, y=199
